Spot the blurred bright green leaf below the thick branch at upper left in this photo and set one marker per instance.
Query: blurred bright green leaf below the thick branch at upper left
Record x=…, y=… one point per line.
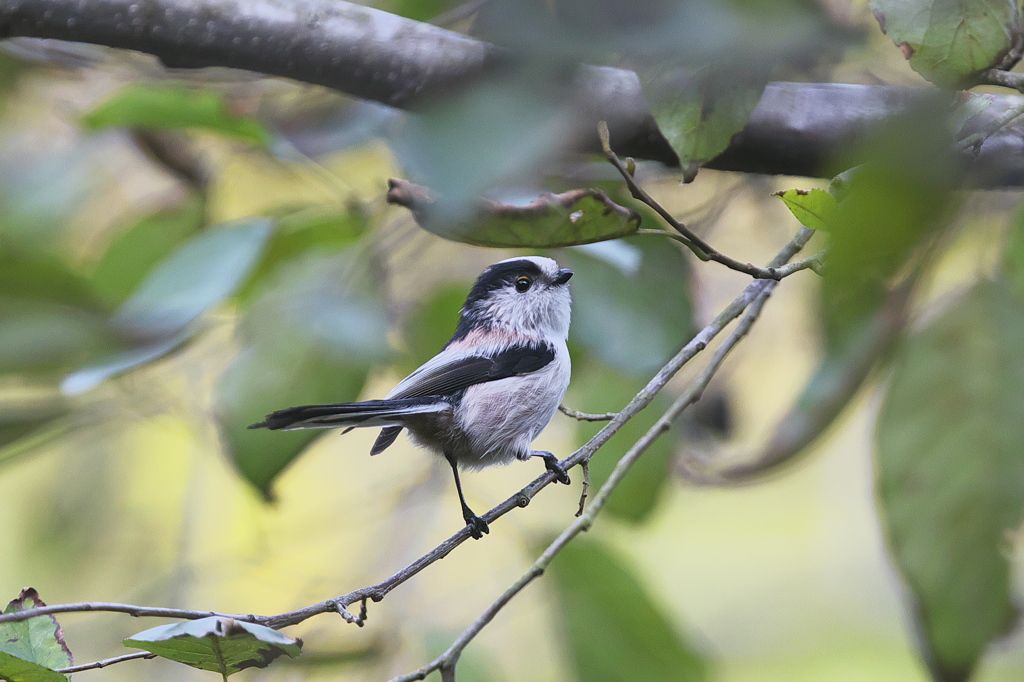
x=163, y=108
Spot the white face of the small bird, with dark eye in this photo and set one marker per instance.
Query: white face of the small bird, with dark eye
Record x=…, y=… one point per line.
x=531, y=302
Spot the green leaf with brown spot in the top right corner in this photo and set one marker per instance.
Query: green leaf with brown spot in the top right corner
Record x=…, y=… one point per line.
x=950, y=41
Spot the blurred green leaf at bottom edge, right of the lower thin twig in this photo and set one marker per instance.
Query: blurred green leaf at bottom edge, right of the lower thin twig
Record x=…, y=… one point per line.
x=615, y=629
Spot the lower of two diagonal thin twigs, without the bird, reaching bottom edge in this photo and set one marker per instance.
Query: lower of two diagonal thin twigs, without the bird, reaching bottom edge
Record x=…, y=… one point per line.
x=450, y=658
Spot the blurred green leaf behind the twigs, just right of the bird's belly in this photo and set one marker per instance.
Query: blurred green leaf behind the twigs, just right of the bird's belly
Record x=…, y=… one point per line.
x=600, y=390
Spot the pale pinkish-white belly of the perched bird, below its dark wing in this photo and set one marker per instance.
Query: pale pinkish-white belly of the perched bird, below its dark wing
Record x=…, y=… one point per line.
x=502, y=418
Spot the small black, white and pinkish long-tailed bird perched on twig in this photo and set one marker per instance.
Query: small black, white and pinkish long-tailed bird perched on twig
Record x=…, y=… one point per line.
x=491, y=391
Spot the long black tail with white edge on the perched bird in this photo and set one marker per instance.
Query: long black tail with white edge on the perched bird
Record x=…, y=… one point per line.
x=369, y=413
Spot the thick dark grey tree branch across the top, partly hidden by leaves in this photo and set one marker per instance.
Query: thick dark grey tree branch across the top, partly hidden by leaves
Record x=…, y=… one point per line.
x=796, y=130
